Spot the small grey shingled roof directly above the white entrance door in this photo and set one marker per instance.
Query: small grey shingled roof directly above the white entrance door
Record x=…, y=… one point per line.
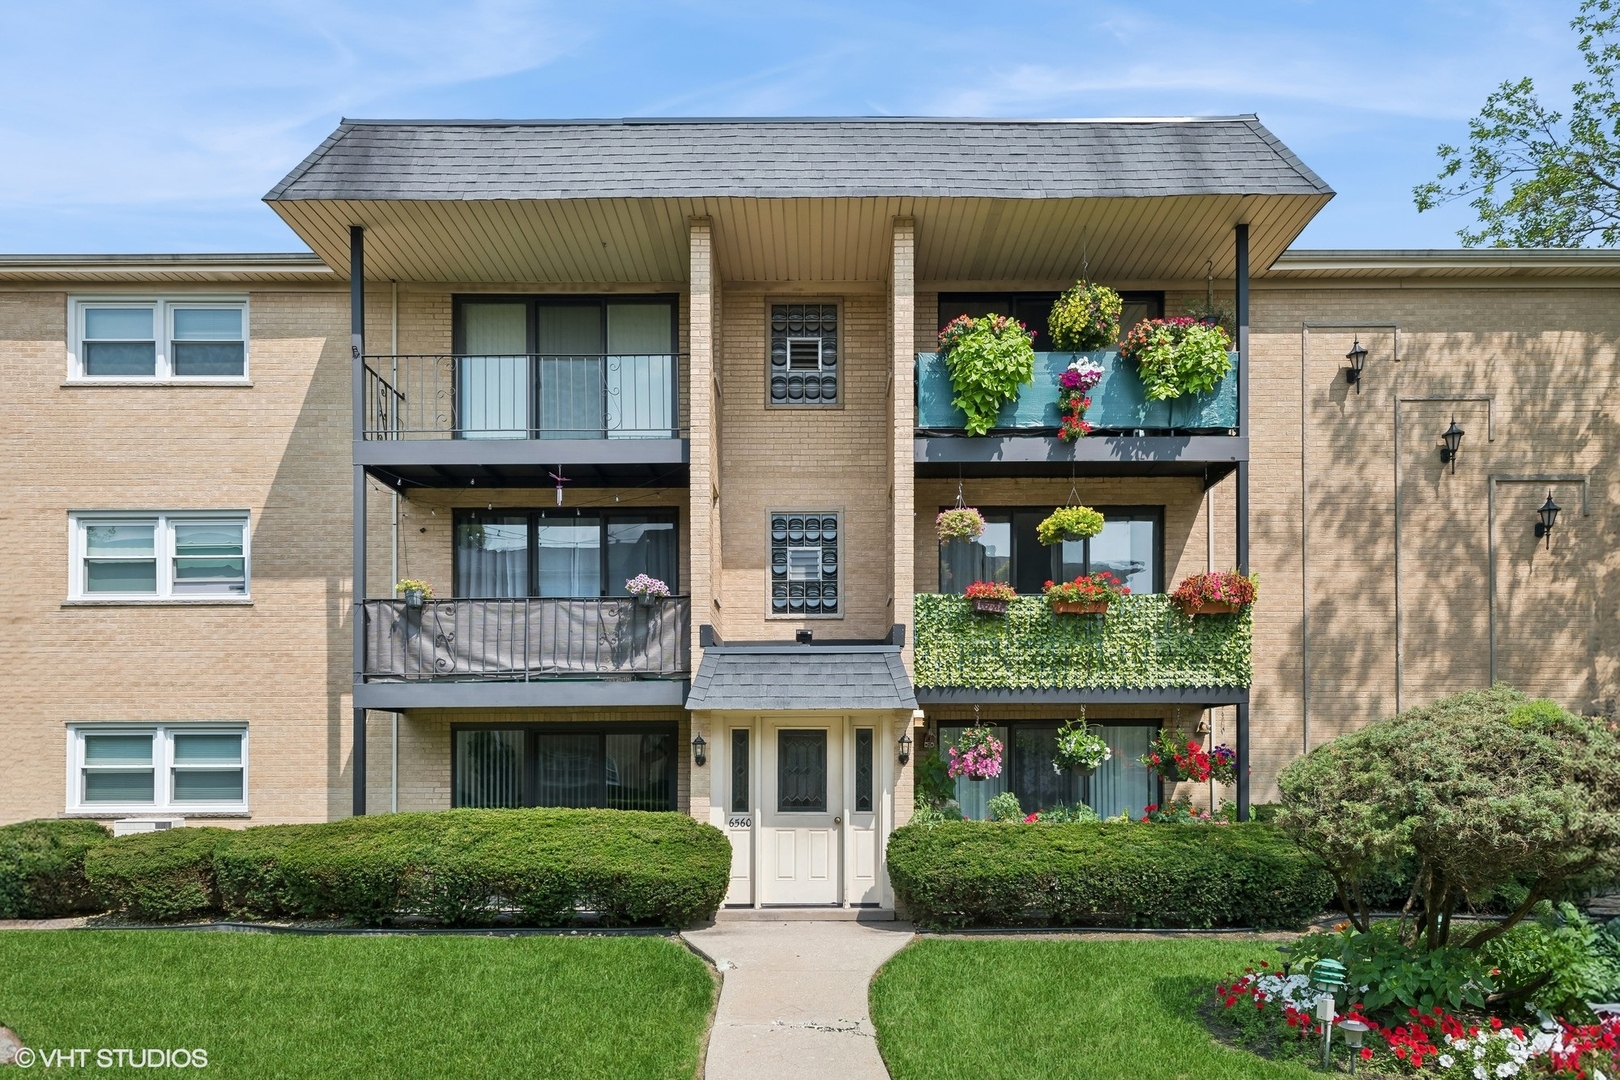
x=803, y=678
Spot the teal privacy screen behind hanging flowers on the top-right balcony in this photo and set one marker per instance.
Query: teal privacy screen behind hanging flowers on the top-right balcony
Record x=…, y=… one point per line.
x=1117, y=402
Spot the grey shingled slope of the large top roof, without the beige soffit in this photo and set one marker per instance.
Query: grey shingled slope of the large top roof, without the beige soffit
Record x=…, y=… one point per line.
x=809, y=158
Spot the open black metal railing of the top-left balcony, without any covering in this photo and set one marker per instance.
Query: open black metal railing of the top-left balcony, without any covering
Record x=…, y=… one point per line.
x=526, y=396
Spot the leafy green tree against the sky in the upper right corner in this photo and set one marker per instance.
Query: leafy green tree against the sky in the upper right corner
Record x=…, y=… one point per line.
x=1535, y=177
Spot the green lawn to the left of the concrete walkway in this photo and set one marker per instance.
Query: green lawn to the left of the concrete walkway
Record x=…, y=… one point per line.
x=335, y=1006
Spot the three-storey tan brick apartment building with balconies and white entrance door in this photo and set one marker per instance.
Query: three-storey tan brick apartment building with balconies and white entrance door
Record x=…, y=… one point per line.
x=531, y=362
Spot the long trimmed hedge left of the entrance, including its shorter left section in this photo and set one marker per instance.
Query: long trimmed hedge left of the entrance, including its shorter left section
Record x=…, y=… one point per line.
x=464, y=867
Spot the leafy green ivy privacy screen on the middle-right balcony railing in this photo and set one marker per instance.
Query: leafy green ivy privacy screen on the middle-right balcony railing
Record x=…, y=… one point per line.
x=1145, y=642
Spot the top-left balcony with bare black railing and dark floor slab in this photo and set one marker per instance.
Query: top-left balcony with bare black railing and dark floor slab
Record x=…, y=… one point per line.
x=451, y=420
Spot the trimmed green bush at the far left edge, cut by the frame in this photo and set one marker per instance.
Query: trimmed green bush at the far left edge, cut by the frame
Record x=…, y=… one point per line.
x=43, y=869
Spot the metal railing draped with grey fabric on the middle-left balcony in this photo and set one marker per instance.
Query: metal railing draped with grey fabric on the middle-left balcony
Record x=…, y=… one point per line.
x=527, y=639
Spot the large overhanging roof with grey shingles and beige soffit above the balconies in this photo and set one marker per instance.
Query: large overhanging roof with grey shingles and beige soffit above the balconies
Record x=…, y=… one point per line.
x=608, y=202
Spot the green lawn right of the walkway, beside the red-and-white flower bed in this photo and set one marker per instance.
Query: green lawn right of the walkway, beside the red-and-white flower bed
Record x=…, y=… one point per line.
x=1062, y=1010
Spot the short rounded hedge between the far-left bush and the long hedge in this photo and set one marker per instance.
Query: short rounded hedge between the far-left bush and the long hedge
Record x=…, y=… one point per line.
x=160, y=875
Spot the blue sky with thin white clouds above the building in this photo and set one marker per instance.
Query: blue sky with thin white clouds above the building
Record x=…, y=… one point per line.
x=158, y=127
